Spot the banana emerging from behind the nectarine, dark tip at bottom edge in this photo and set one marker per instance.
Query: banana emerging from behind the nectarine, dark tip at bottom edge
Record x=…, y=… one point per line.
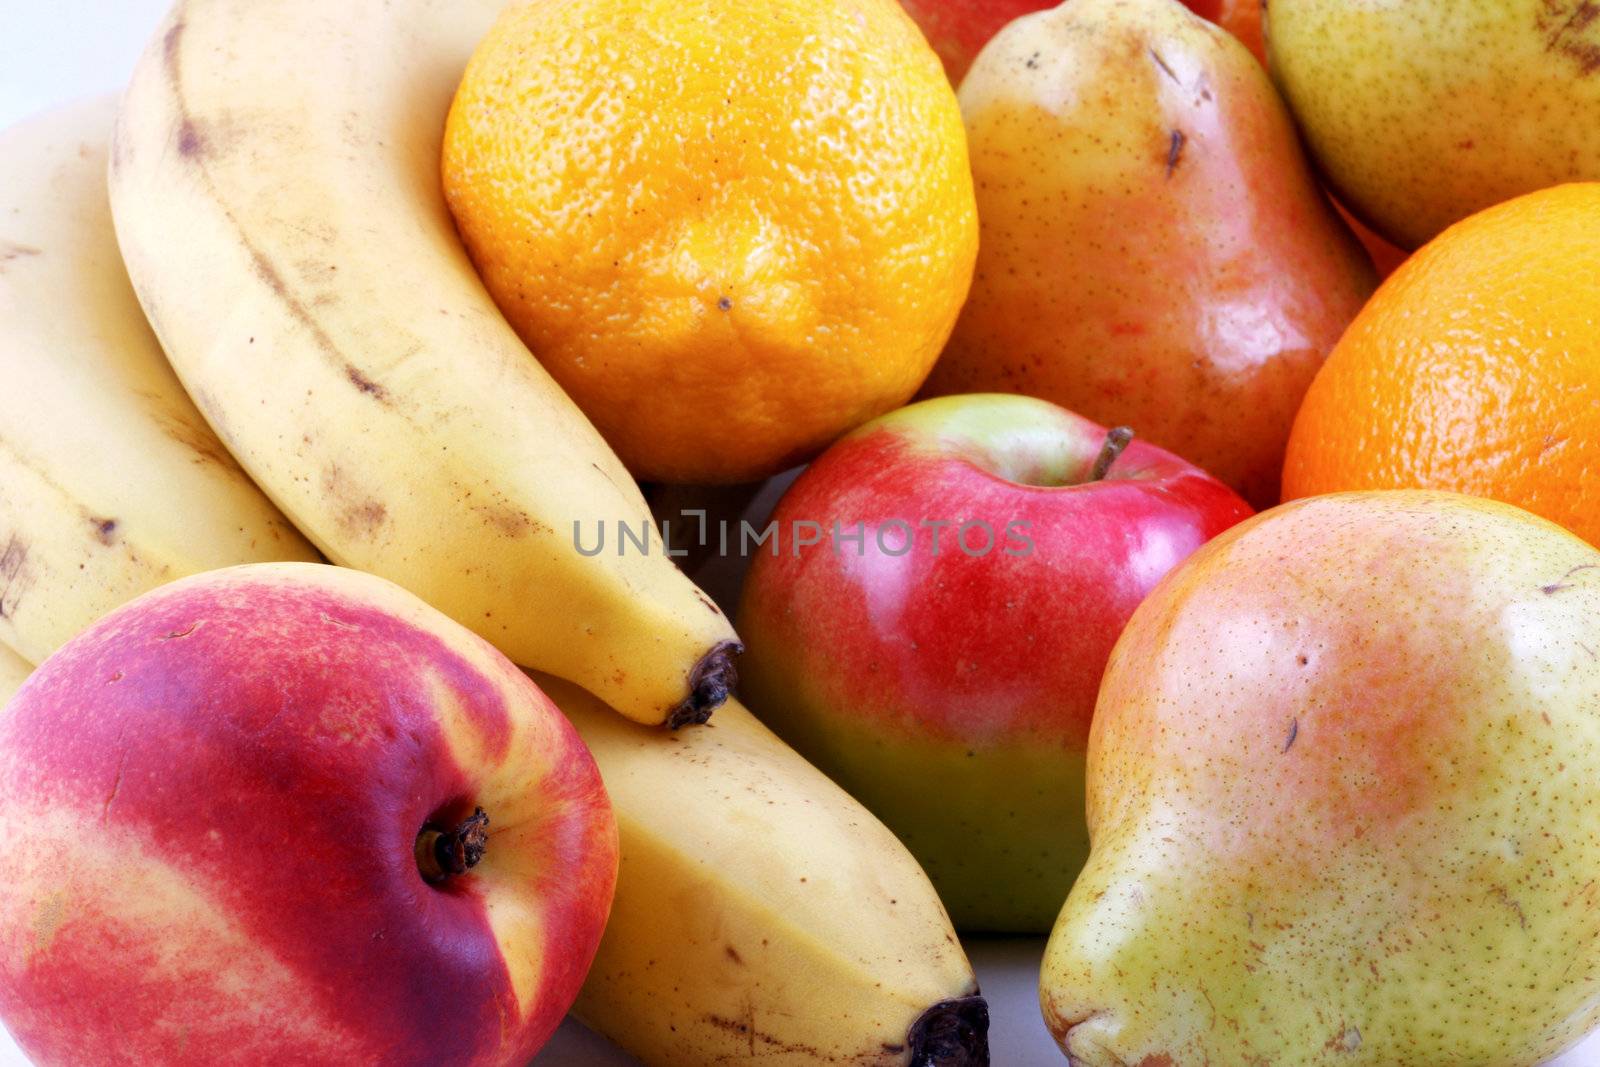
x=761, y=913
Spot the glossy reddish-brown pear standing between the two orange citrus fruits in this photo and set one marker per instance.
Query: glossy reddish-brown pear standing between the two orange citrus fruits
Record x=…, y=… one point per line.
x=1114, y=145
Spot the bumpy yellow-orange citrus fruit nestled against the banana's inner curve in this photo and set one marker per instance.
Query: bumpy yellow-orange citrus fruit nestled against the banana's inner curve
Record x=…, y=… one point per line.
x=730, y=231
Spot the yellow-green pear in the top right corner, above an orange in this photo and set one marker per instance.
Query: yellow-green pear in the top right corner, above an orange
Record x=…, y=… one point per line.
x=1423, y=113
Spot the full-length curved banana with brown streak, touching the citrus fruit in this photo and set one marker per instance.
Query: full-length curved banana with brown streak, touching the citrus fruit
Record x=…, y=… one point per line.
x=278, y=198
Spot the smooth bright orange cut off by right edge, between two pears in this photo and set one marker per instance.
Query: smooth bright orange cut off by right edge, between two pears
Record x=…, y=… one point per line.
x=1476, y=367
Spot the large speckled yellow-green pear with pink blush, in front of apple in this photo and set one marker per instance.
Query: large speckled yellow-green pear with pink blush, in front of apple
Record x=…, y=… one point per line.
x=1343, y=780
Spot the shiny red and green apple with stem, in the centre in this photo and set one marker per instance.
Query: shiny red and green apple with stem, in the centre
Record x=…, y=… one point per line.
x=942, y=657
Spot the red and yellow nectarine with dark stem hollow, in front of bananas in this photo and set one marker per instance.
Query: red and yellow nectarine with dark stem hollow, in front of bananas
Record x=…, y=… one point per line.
x=290, y=815
